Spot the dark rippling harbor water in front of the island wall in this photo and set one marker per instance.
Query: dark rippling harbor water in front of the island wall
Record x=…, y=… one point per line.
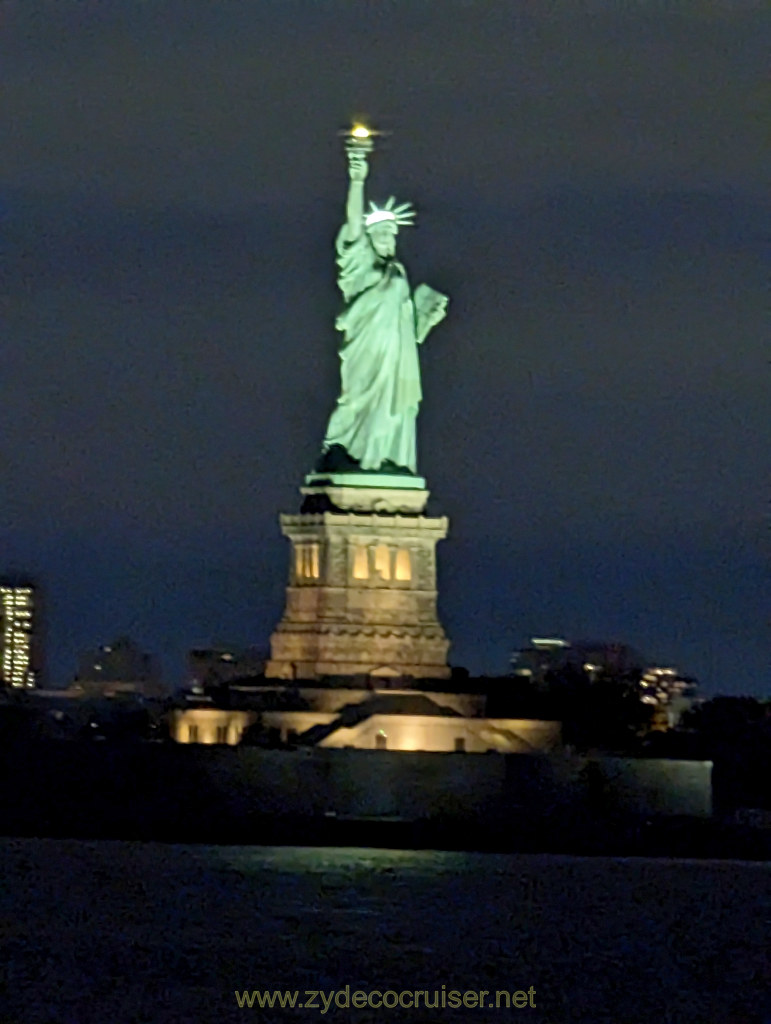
x=104, y=932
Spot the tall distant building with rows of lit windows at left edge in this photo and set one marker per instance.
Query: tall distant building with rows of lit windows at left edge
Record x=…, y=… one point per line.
x=20, y=633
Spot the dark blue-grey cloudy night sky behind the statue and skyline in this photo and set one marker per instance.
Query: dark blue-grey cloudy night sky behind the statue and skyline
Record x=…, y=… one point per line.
x=592, y=187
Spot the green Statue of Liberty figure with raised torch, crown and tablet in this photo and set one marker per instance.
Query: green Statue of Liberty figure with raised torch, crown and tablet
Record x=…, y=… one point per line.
x=372, y=429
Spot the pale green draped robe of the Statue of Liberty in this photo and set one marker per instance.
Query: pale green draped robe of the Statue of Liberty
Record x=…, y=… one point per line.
x=375, y=416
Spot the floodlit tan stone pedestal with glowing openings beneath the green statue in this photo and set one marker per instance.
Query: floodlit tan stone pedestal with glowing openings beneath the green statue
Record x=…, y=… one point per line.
x=362, y=594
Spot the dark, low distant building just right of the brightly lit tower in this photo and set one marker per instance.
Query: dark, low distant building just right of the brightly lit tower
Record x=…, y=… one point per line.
x=120, y=667
